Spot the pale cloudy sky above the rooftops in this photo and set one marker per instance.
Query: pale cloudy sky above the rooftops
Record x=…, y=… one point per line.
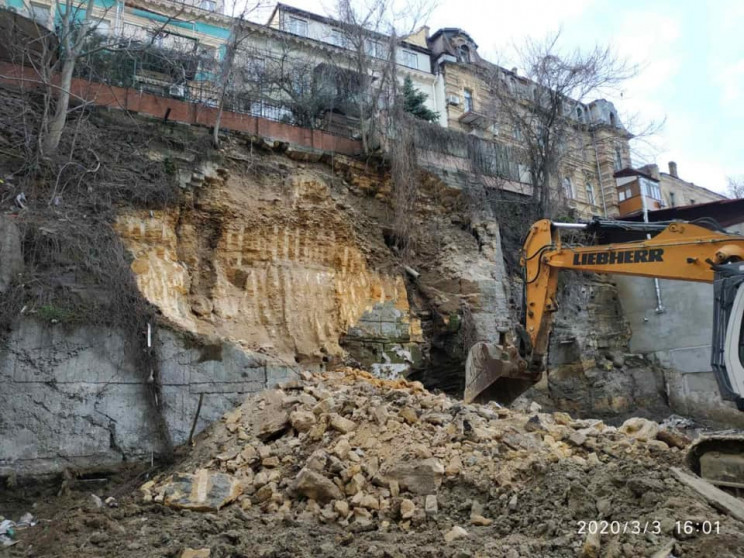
x=691, y=54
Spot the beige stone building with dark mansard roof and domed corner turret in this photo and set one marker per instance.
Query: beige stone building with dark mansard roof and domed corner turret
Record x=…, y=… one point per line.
x=598, y=145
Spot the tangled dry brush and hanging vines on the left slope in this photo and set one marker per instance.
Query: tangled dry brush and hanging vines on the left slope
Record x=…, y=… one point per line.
x=76, y=270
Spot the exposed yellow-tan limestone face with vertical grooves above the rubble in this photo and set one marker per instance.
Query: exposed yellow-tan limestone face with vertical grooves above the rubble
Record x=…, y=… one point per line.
x=278, y=267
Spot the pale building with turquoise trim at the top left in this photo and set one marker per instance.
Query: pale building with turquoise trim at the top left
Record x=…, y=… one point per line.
x=174, y=42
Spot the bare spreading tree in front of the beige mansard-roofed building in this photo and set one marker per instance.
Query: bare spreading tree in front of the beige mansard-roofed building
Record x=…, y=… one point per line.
x=544, y=111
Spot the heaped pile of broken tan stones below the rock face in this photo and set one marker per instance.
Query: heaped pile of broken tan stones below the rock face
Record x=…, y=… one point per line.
x=367, y=454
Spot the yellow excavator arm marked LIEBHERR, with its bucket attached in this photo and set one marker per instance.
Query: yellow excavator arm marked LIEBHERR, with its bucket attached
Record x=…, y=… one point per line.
x=681, y=250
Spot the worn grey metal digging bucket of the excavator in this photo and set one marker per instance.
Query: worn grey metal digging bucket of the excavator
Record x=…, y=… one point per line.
x=496, y=373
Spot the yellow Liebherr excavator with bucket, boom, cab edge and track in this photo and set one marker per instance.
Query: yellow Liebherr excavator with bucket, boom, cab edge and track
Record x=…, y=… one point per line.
x=688, y=251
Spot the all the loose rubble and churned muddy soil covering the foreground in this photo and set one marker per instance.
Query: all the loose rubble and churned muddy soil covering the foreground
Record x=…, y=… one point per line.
x=343, y=464
